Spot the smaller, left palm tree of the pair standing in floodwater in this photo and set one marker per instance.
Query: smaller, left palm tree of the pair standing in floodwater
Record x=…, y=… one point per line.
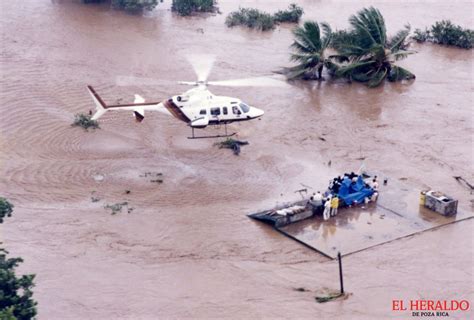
x=309, y=51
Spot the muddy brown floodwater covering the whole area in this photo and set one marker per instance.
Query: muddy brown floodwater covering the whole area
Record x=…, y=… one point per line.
x=187, y=250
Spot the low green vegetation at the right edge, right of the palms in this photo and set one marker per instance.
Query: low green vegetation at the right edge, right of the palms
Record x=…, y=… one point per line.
x=446, y=33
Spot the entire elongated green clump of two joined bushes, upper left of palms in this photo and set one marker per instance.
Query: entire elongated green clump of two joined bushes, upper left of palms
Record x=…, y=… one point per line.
x=256, y=19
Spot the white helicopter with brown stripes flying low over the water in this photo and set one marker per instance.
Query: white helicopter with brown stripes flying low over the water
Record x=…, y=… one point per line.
x=197, y=107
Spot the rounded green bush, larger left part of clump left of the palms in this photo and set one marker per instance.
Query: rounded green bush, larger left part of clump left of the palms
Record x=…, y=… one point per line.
x=252, y=18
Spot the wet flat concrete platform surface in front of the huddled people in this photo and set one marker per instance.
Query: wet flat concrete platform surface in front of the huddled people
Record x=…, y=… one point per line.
x=396, y=214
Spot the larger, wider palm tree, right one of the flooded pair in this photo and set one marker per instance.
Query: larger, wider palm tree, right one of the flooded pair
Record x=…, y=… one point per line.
x=368, y=54
